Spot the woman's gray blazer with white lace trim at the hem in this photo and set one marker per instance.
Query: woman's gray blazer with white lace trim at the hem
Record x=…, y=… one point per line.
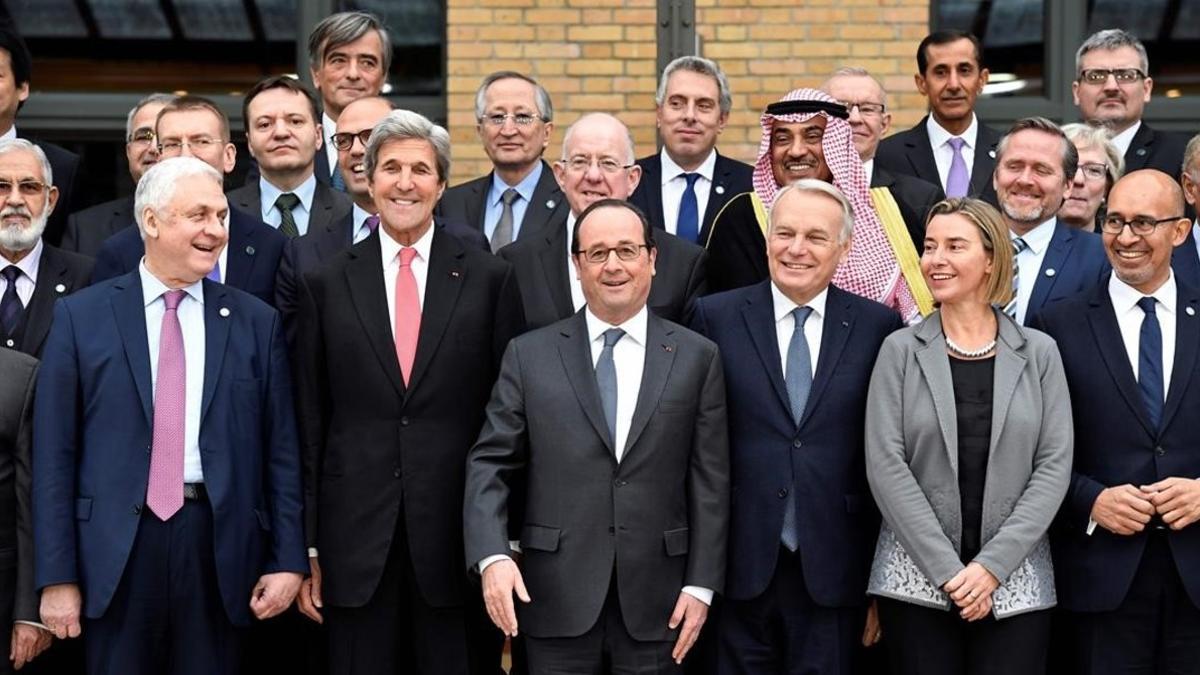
x=913, y=459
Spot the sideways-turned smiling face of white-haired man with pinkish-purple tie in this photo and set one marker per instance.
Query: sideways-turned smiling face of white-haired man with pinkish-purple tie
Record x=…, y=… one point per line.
x=184, y=241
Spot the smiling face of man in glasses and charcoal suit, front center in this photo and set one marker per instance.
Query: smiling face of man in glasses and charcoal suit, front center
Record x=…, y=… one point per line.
x=615, y=290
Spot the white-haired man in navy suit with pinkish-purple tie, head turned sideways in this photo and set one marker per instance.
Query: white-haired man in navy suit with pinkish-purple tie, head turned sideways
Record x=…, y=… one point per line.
x=167, y=505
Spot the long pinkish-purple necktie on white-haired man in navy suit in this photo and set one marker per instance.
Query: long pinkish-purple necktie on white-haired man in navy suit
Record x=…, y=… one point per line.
x=165, y=494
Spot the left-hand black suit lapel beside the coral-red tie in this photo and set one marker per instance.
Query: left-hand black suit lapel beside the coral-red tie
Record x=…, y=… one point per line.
x=364, y=277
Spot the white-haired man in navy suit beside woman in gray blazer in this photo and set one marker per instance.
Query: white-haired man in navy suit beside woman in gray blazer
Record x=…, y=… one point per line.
x=803, y=523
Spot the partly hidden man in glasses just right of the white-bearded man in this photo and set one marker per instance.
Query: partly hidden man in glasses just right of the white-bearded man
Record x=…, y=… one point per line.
x=88, y=230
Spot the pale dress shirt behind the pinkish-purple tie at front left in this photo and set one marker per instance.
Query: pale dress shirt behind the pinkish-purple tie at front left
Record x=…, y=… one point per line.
x=191, y=324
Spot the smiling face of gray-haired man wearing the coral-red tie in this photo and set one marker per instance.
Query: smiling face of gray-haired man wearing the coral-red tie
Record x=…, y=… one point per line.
x=406, y=188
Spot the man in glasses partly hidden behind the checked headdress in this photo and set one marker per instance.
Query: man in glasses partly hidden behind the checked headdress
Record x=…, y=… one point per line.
x=869, y=122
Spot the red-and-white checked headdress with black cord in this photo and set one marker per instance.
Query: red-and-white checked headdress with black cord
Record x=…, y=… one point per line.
x=872, y=270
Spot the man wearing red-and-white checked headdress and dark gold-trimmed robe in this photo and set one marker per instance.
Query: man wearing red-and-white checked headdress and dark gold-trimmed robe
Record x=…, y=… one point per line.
x=806, y=135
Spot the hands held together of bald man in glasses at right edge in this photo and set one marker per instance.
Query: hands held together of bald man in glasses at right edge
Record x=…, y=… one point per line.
x=1127, y=510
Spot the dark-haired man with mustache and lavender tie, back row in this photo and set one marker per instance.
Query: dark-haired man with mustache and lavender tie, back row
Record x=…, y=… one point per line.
x=951, y=147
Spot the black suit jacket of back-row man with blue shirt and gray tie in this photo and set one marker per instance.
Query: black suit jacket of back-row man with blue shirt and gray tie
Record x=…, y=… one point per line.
x=467, y=204
